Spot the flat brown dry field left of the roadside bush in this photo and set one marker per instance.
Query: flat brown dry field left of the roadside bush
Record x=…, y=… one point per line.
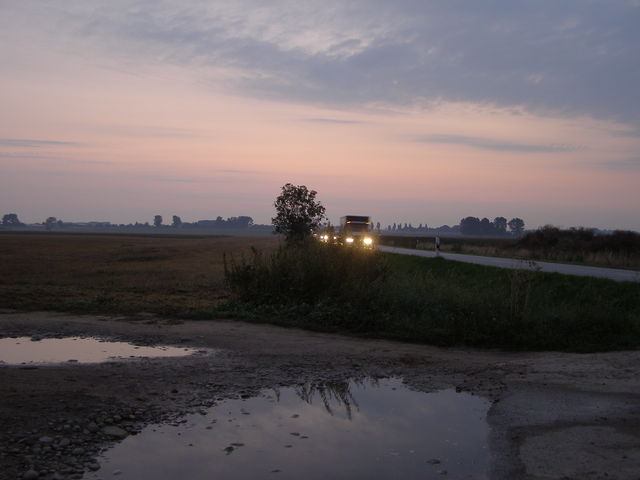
x=117, y=273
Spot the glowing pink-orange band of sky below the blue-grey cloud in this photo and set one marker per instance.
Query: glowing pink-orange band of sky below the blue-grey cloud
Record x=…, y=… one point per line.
x=90, y=131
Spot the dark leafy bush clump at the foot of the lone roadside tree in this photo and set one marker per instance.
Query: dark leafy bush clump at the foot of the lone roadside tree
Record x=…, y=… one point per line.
x=327, y=282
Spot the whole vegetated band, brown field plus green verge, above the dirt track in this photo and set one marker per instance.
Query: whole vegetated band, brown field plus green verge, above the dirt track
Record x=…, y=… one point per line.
x=340, y=290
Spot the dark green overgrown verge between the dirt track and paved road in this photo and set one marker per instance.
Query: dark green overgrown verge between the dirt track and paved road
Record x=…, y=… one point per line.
x=435, y=301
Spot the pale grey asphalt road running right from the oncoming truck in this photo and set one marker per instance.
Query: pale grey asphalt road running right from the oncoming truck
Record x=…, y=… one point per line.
x=580, y=270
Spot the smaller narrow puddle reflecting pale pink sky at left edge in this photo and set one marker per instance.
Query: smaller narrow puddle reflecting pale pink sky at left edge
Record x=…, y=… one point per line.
x=23, y=350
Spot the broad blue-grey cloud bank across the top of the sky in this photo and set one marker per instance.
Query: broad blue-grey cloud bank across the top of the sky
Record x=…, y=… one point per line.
x=570, y=58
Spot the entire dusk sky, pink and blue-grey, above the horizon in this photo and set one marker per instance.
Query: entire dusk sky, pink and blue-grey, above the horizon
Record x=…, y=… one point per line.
x=420, y=111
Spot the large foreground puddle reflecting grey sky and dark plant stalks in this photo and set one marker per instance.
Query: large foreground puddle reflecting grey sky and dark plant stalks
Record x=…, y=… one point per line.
x=345, y=430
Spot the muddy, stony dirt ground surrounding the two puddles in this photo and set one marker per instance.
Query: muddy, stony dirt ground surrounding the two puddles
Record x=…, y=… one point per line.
x=553, y=415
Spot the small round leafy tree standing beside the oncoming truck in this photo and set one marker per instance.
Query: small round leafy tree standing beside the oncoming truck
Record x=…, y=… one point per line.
x=298, y=213
